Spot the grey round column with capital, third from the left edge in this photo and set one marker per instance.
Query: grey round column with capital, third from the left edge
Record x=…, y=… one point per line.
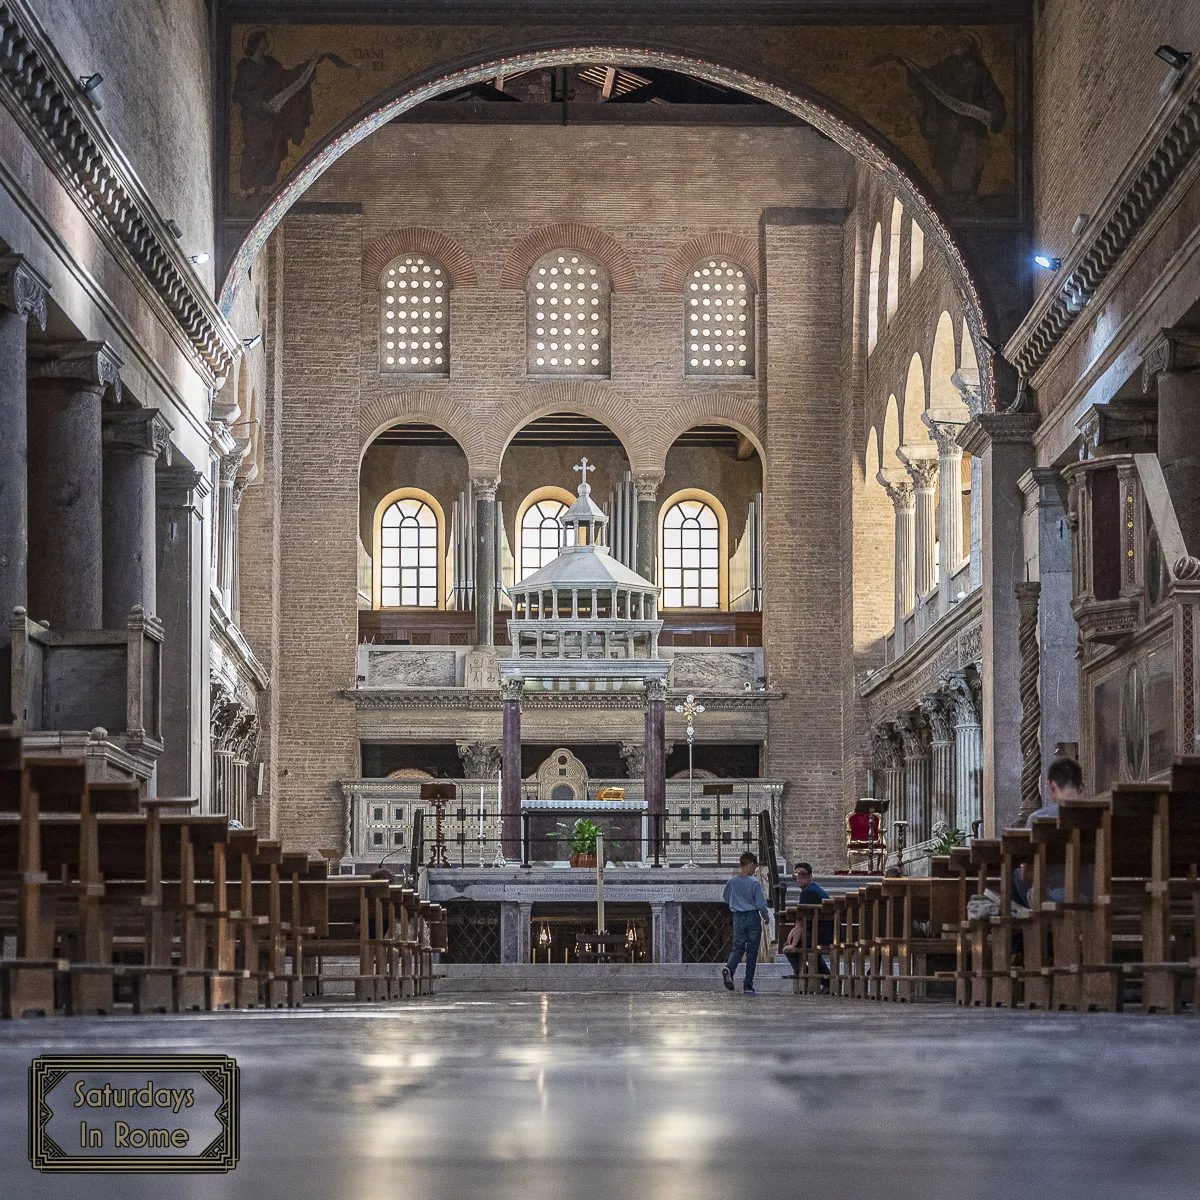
x=133, y=441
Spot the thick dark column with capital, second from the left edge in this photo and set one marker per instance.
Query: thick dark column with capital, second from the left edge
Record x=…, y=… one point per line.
x=67, y=574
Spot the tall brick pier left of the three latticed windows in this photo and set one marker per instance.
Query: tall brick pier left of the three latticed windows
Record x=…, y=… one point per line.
x=320, y=500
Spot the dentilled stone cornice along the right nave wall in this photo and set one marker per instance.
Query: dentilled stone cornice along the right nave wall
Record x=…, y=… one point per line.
x=1169, y=149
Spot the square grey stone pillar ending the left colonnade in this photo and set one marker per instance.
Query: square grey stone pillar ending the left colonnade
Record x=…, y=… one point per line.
x=183, y=599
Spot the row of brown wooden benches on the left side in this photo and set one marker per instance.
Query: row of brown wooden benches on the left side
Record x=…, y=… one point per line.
x=107, y=898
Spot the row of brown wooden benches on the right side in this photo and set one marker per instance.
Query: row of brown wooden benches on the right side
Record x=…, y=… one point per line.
x=1112, y=914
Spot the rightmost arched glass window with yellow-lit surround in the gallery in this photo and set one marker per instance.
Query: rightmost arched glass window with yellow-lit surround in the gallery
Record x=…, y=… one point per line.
x=695, y=569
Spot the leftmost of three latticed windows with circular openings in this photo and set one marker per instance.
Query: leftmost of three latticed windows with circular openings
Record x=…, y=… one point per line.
x=415, y=319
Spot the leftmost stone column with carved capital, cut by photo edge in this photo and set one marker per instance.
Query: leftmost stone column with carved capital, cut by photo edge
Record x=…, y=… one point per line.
x=22, y=296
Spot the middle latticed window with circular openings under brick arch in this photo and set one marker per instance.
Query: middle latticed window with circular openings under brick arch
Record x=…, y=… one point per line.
x=568, y=316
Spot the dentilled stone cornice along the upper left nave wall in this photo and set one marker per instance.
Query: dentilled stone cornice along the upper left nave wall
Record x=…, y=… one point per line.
x=38, y=88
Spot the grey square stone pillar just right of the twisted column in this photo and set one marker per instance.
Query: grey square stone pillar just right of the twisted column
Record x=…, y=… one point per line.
x=1048, y=555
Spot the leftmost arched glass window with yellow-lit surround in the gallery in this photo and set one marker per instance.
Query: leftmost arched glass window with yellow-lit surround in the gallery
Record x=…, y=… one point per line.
x=410, y=551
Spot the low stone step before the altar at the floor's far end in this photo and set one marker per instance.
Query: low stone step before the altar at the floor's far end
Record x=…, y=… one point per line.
x=609, y=977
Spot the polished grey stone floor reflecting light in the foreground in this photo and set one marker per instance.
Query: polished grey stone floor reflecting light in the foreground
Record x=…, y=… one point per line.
x=664, y=1097
